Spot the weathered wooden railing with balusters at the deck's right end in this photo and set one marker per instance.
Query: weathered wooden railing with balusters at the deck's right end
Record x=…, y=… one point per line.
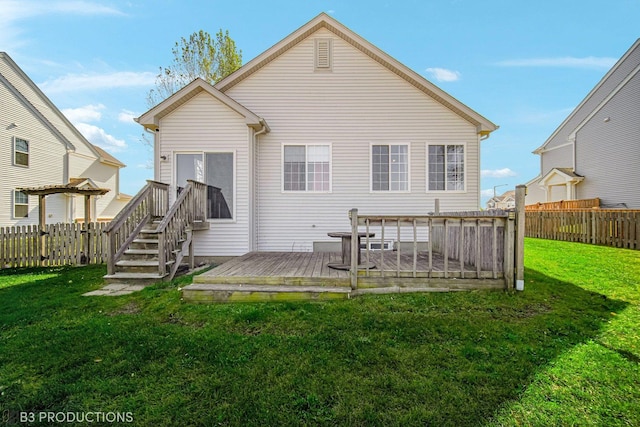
x=443, y=248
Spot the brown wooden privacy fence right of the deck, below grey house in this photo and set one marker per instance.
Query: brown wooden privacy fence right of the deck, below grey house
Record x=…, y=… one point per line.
x=610, y=227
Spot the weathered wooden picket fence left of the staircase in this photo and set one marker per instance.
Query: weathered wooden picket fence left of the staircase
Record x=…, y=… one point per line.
x=61, y=244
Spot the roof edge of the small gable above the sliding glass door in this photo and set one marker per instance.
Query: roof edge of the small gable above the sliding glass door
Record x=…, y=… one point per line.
x=151, y=119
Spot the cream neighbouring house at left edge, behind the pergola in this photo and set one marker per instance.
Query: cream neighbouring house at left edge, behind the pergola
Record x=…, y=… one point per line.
x=40, y=147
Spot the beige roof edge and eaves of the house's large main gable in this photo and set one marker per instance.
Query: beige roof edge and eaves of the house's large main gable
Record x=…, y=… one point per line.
x=483, y=125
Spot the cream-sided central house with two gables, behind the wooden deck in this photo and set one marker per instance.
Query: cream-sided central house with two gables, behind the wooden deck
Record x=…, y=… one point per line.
x=320, y=123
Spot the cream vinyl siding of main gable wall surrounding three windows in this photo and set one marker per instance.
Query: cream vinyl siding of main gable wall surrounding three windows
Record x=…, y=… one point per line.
x=358, y=104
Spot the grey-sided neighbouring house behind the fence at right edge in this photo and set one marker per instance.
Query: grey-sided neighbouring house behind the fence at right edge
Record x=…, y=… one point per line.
x=595, y=153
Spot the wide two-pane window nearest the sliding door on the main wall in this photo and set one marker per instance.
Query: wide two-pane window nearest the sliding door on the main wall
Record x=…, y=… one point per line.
x=306, y=168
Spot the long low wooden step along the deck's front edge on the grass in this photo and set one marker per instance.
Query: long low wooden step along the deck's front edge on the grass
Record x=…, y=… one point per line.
x=217, y=293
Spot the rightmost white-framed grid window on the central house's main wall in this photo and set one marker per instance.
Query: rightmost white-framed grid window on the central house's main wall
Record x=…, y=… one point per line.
x=446, y=167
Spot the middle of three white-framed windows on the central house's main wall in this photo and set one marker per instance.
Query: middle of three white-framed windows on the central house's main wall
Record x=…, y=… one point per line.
x=390, y=167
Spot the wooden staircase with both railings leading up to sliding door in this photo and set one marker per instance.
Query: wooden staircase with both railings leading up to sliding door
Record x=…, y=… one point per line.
x=148, y=240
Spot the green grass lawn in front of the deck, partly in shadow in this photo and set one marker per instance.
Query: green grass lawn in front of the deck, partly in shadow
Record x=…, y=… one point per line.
x=566, y=351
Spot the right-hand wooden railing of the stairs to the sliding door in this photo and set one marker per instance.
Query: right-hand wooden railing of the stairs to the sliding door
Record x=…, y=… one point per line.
x=174, y=232
